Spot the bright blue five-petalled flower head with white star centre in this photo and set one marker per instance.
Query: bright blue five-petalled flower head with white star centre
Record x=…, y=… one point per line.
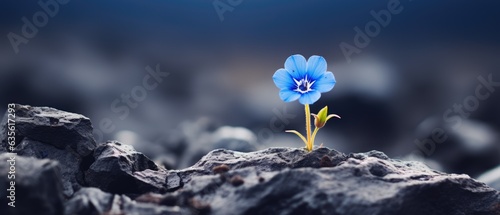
x=303, y=80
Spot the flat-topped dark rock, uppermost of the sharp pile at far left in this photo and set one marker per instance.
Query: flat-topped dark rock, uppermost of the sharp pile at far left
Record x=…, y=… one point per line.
x=51, y=126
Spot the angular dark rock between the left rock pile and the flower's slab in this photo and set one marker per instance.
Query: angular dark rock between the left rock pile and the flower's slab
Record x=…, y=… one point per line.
x=119, y=169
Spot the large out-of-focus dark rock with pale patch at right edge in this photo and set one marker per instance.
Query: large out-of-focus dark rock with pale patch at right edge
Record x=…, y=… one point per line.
x=470, y=148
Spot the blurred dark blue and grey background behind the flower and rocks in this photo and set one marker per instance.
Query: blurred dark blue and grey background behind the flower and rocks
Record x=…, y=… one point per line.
x=393, y=92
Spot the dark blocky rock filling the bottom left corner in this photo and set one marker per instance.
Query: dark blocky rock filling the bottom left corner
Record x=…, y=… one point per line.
x=38, y=188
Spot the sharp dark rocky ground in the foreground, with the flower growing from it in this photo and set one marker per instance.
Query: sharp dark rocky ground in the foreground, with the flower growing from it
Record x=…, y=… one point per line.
x=60, y=169
